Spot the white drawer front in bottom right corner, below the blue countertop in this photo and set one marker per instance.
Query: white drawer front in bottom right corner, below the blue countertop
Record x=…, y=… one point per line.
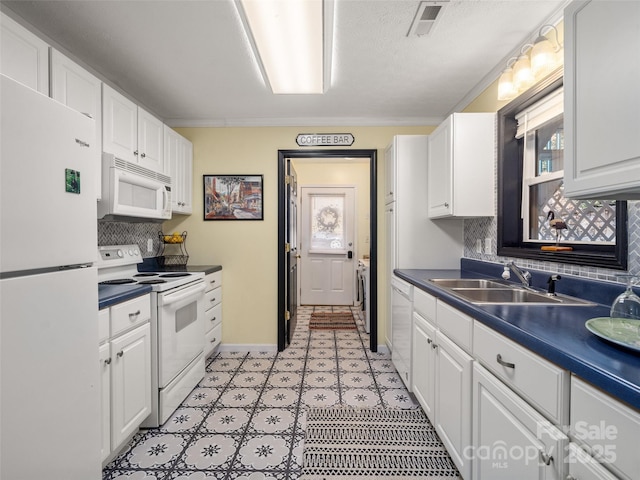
x=607, y=427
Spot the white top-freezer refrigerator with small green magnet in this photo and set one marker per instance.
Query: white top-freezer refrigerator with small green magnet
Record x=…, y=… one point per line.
x=49, y=368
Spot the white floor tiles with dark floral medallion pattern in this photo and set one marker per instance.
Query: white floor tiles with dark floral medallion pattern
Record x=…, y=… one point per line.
x=246, y=418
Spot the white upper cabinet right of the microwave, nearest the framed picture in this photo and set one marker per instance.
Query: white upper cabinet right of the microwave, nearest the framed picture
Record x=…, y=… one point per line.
x=179, y=159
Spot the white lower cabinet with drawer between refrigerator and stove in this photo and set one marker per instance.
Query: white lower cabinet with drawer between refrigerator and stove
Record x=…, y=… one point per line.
x=125, y=369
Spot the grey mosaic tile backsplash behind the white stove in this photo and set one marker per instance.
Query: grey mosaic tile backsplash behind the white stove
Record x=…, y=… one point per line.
x=127, y=233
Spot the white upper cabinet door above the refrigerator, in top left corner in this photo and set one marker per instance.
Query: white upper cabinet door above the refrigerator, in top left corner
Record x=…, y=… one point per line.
x=23, y=56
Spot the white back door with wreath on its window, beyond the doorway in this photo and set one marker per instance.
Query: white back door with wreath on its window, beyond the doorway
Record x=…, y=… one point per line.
x=327, y=263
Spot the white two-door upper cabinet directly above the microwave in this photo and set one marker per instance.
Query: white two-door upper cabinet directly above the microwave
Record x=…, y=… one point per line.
x=131, y=133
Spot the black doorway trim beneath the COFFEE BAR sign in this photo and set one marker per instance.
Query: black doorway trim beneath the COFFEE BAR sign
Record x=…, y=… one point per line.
x=371, y=155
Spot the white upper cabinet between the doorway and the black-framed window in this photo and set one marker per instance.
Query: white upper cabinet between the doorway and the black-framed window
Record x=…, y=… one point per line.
x=461, y=173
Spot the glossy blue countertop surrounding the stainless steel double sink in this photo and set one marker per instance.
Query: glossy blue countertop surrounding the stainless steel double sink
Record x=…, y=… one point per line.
x=555, y=333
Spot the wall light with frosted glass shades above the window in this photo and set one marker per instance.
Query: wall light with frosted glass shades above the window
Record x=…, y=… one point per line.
x=534, y=62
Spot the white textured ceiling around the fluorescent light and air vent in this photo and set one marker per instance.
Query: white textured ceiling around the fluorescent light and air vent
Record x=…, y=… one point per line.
x=189, y=62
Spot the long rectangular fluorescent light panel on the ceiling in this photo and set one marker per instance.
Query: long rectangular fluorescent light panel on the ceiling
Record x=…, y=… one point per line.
x=292, y=42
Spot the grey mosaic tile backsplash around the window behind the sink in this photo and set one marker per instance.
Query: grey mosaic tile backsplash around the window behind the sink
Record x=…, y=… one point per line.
x=487, y=227
